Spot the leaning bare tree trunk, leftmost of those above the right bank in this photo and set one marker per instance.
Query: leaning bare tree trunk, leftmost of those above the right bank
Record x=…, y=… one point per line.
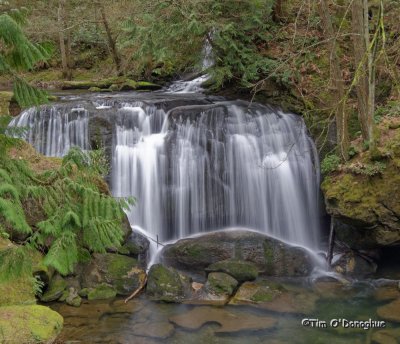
x=342, y=136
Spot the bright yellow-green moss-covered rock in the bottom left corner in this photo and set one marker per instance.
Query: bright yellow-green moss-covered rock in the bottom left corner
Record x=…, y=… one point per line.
x=29, y=324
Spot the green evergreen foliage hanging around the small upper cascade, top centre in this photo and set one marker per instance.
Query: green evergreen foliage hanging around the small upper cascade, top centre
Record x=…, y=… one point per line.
x=238, y=32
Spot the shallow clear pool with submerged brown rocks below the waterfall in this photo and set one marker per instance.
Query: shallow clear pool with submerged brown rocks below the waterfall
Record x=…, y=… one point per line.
x=144, y=321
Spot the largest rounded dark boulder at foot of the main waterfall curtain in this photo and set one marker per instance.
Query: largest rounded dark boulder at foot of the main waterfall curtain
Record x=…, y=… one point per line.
x=270, y=256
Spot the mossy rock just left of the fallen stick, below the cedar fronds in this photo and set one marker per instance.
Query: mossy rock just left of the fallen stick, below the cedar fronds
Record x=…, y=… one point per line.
x=121, y=272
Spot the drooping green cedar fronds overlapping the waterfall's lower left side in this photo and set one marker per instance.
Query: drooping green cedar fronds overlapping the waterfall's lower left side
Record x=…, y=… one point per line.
x=76, y=217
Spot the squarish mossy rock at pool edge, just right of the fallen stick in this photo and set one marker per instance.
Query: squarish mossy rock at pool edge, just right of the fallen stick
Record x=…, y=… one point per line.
x=166, y=284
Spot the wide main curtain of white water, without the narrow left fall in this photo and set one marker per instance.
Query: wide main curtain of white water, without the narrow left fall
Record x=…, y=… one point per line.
x=228, y=167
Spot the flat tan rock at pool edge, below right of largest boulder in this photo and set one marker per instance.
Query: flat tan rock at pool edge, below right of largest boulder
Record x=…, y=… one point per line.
x=275, y=297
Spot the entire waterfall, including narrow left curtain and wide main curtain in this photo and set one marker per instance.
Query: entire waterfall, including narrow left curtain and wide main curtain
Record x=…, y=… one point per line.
x=196, y=168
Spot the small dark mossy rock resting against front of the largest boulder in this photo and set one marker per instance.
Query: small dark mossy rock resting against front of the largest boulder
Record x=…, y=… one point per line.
x=240, y=270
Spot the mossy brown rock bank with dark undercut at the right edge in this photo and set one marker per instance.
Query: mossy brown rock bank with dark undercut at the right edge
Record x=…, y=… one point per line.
x=363, y=196
